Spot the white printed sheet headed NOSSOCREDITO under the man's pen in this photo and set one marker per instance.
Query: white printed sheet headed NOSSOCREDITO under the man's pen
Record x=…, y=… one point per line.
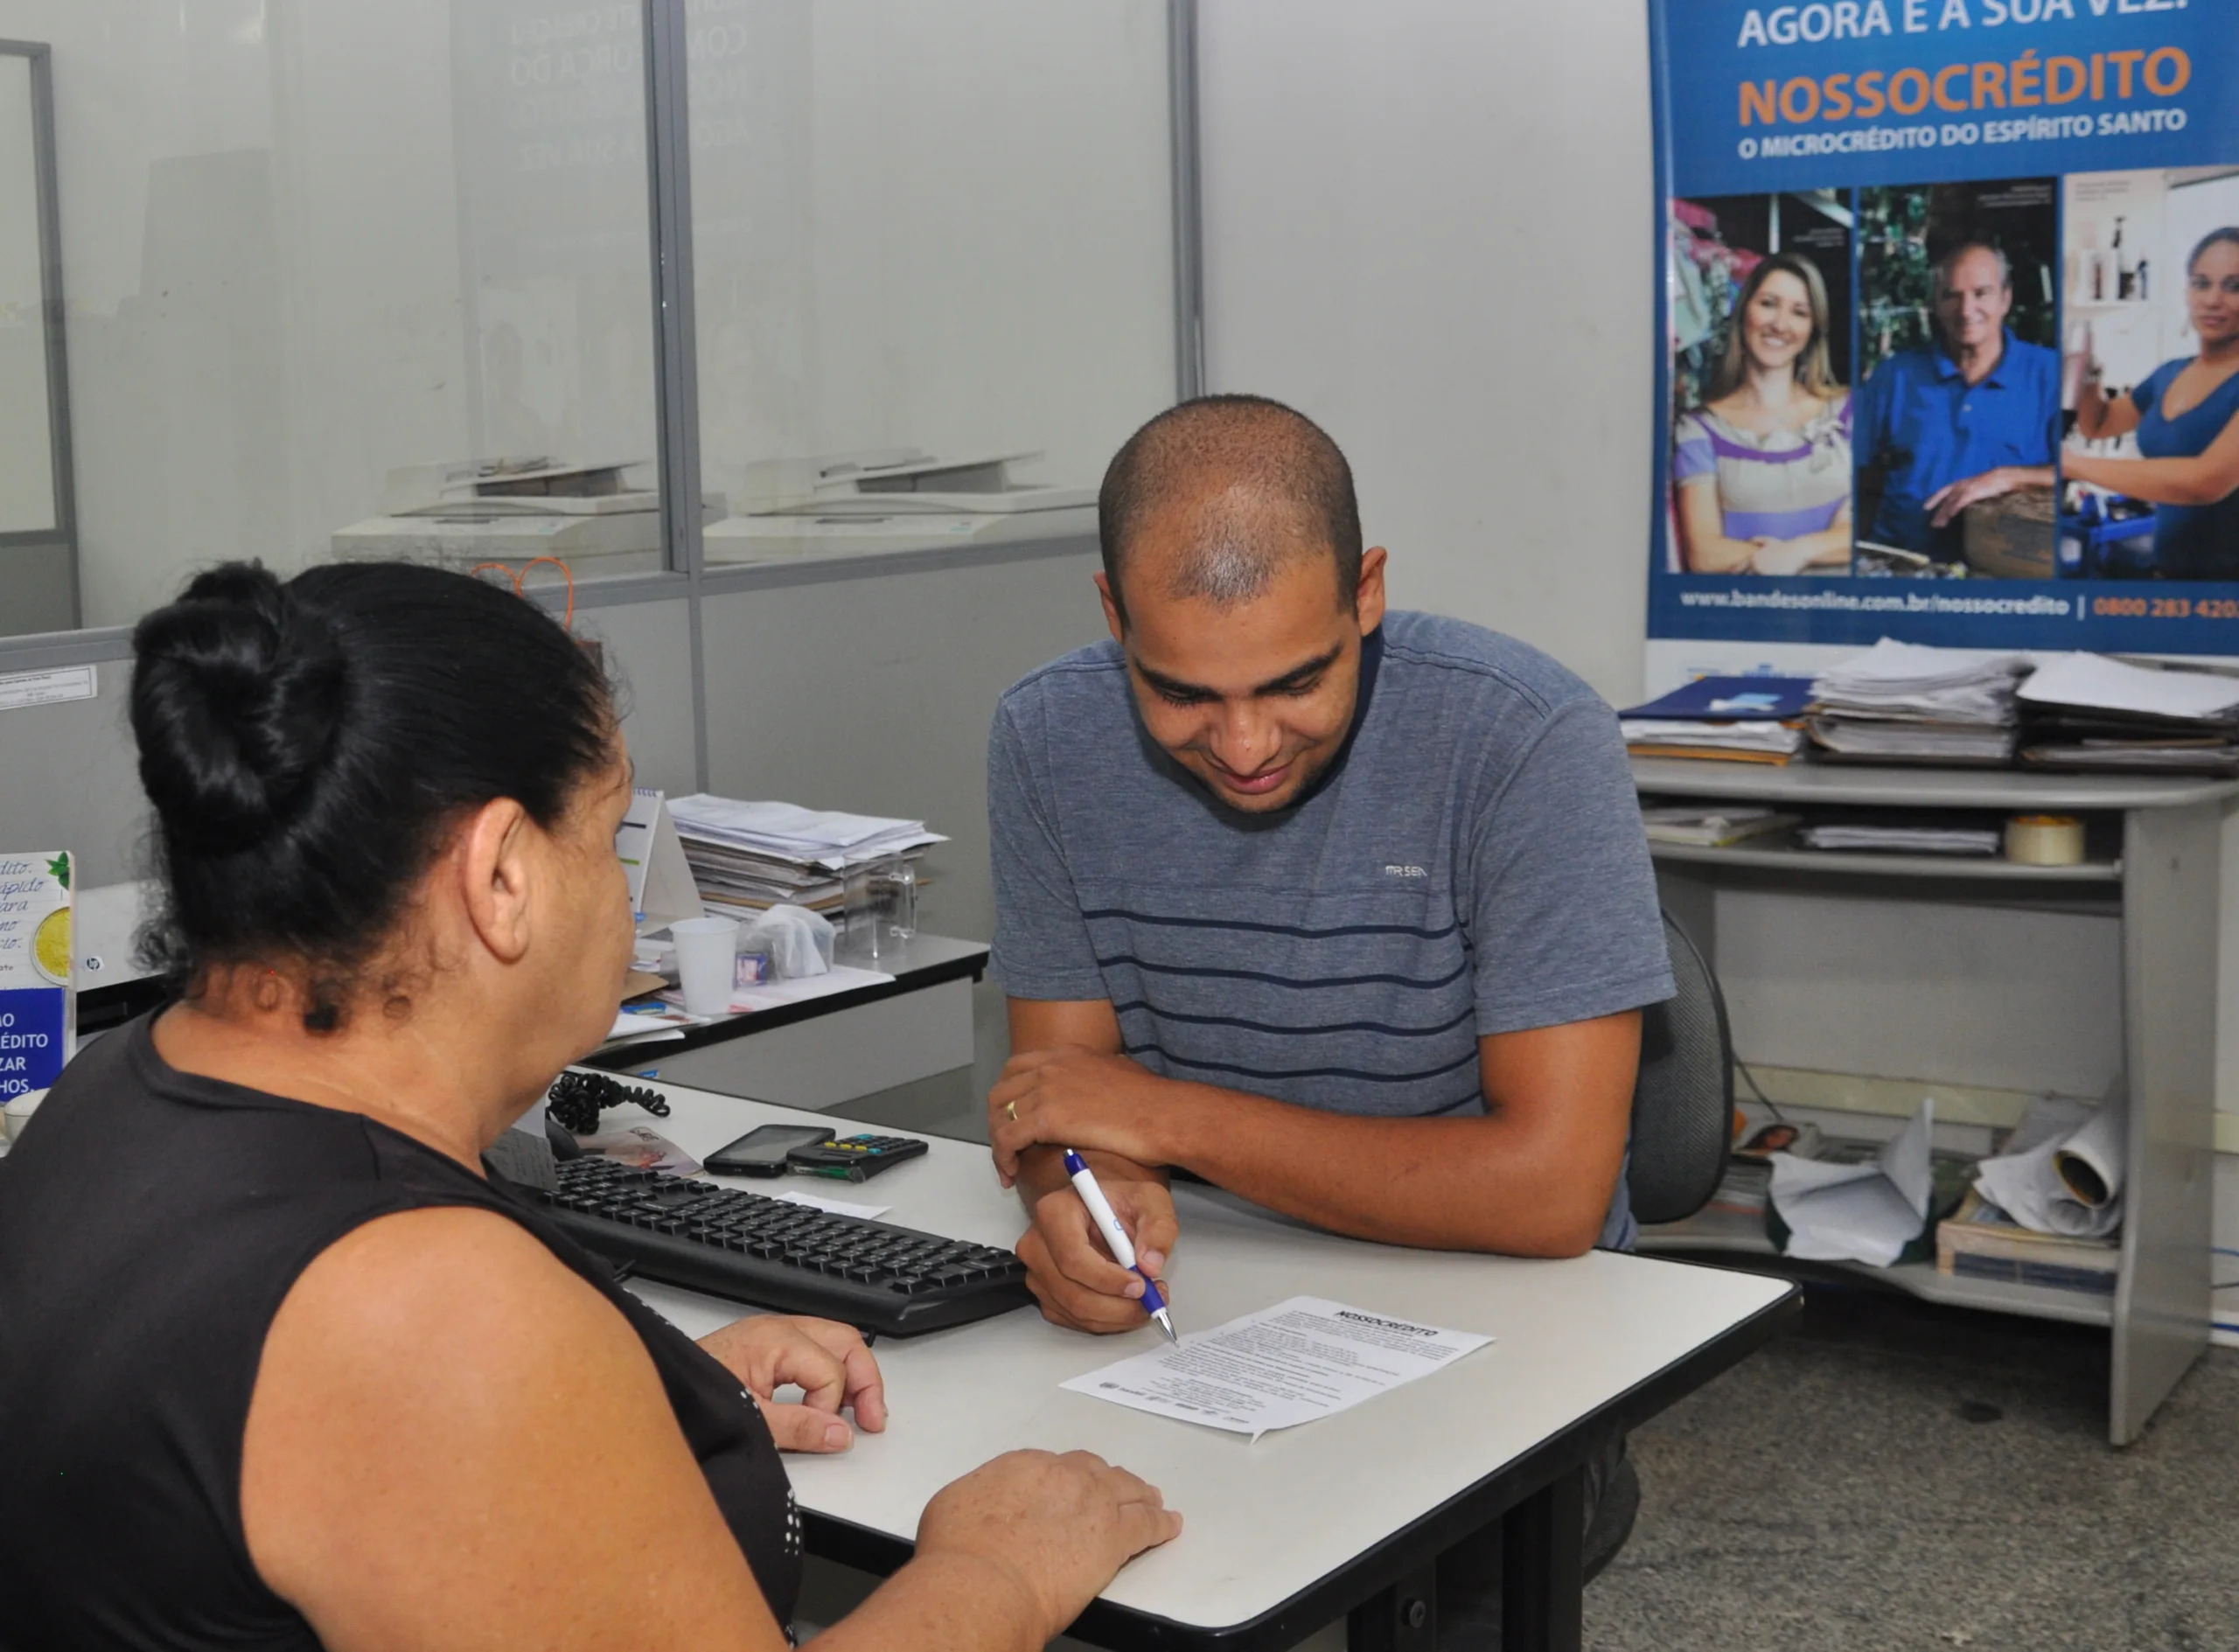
x=1277, y=1369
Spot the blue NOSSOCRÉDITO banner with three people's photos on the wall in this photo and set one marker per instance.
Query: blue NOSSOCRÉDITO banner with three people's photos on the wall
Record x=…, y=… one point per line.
x=1951, y=326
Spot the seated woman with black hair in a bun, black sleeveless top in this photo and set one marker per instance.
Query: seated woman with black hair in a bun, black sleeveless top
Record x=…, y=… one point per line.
x=279, y=1364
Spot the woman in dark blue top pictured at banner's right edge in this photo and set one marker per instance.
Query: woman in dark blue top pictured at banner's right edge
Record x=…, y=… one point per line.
x=2186, y=417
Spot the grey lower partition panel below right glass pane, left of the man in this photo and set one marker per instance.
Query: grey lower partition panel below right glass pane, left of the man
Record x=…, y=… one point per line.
x=874, y=695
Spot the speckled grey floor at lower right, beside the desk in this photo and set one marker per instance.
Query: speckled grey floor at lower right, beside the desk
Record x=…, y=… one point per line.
x=1902, y=1476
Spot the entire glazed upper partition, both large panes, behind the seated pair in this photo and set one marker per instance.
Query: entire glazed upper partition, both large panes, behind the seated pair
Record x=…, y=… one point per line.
x=348, y=279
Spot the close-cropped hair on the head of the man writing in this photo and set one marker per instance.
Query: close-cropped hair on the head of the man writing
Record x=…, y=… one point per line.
x=1250, y=487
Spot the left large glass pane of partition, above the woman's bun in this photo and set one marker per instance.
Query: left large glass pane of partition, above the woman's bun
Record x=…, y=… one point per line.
x=350, y=281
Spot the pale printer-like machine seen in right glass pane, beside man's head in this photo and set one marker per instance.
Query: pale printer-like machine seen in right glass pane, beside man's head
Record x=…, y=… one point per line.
x=890, y=500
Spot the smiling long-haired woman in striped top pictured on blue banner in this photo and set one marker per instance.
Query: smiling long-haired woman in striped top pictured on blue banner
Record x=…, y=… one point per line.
x=1763, y=467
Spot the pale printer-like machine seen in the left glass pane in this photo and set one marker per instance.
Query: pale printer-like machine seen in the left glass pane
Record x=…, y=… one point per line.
x=516, y=509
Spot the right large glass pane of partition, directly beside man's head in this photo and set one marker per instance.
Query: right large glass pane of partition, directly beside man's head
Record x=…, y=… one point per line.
x=935, y=265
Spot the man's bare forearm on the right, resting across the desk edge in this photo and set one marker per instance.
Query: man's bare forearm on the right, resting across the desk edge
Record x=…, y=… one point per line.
x=1468, y=1185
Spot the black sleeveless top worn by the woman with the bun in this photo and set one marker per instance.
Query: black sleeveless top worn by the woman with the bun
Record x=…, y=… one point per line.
x=151, y=1226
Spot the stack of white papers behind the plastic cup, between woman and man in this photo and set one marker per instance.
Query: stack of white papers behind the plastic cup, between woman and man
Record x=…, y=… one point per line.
x=756, y=856
